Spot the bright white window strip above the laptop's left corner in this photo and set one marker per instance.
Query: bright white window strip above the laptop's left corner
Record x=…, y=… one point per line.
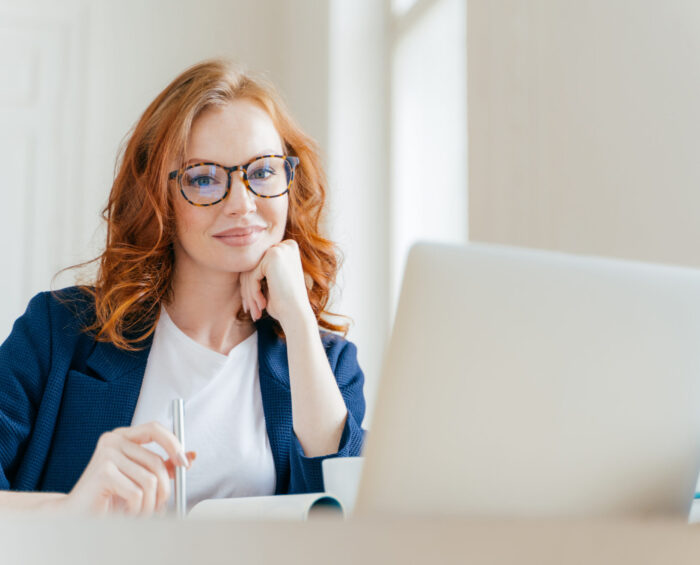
x=428, y=129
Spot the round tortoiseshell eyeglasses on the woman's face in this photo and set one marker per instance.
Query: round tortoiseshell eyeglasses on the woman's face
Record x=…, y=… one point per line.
x=206, y=184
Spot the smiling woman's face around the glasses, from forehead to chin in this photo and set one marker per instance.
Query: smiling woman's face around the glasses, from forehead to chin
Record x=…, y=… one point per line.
x=230, y=135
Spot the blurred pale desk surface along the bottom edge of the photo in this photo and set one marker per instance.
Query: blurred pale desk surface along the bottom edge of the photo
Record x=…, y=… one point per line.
x=37, y=539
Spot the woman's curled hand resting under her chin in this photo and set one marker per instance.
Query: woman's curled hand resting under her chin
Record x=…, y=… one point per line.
x=287, y=298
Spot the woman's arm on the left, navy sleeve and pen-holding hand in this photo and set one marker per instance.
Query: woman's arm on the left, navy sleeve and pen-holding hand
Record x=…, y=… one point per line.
x=121, y=475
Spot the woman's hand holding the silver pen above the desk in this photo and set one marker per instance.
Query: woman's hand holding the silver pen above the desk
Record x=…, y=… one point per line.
x=124, y=476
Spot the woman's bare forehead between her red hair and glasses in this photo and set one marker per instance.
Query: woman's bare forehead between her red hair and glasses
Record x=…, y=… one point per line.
x=233, y=133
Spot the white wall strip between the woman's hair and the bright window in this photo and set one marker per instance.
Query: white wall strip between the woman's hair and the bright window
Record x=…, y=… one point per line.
x=359, y=176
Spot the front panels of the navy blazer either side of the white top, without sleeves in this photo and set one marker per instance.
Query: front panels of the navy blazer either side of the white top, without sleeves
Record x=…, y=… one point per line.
x=104, y=397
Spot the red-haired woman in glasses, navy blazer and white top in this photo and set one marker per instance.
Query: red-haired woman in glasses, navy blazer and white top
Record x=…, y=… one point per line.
x=212, y=287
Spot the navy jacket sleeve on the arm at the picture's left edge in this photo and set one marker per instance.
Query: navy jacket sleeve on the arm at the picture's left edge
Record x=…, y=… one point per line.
x=24, y=367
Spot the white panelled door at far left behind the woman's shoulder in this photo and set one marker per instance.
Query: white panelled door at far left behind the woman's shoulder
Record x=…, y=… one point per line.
x=42, y=95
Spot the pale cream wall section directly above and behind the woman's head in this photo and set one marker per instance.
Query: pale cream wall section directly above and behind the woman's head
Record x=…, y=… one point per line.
x=136, y=48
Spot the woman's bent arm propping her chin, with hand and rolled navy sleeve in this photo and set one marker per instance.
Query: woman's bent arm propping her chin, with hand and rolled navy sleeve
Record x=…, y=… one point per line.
x=326, y=386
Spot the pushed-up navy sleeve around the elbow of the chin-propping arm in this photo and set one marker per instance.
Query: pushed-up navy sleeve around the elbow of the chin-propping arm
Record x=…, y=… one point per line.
x=306, y=472
